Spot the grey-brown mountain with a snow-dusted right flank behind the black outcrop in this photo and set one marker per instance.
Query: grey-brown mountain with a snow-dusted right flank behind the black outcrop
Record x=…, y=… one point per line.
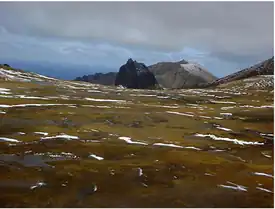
x=180, y=74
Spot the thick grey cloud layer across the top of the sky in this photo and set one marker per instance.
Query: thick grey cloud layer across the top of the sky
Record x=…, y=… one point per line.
x=239, y=28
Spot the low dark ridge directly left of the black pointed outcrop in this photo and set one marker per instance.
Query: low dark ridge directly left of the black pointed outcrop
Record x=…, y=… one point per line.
x=99, y=78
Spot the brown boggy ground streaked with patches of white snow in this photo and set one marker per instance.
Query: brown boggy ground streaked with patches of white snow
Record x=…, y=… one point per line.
x=82, y=145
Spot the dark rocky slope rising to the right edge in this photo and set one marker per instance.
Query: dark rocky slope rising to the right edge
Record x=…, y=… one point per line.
x=263, y=68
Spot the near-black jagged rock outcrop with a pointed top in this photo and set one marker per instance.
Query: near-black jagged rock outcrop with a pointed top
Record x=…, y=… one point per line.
x=135, y=75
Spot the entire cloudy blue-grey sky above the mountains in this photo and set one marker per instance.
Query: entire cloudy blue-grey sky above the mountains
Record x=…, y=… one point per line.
x=224, y=37
